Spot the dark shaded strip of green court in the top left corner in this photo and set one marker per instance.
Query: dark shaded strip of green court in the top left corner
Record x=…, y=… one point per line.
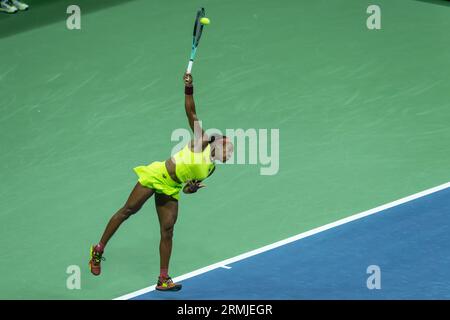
x=44, y=12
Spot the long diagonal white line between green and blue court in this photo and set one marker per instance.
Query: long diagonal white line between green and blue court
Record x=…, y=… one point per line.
x=293, y=238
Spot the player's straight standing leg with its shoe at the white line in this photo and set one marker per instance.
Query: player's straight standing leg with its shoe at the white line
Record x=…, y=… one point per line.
x=167, y=209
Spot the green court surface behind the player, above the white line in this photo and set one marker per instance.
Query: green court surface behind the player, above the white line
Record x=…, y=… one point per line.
x=363, y=117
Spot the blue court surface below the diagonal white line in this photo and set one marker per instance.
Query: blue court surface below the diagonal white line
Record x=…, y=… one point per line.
x=408, y=242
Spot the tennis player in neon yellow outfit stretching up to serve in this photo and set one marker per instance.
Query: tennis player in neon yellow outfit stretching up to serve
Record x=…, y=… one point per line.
x=183, y=171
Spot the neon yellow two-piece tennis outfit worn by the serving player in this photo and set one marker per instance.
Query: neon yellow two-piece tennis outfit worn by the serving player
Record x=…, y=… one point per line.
x=189, y=166
